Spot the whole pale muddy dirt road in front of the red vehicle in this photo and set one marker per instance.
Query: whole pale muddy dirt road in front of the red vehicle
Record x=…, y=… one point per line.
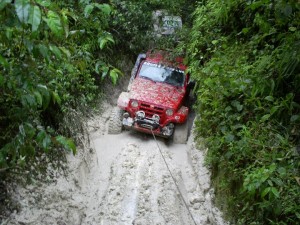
x=122, y=179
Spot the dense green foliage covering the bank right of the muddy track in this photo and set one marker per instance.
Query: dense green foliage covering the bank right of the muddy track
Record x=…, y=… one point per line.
x=245, y=57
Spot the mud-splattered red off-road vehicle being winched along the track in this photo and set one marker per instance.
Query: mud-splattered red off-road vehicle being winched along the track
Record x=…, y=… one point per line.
x=157, y=98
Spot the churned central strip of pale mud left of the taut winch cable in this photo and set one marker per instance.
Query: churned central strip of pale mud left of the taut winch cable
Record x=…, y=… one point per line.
x=140, y=190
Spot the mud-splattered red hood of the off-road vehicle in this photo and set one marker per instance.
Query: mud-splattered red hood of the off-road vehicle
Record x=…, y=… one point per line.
x=156, y=93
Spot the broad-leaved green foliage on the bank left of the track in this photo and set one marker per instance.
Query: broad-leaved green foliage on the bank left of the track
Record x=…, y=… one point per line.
x=48, y=56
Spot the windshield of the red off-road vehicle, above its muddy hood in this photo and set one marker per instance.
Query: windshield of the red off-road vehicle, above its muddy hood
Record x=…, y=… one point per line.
x=159, y=73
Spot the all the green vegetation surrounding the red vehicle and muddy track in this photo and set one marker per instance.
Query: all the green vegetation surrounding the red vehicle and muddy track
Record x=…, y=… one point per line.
x=56, y=56
